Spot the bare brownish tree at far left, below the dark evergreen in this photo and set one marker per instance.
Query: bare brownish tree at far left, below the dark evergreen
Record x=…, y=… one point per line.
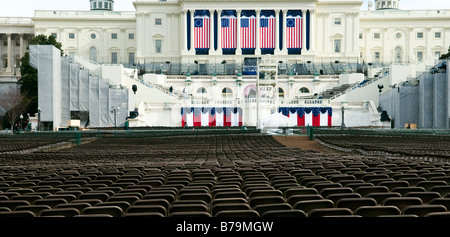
x=15, y=104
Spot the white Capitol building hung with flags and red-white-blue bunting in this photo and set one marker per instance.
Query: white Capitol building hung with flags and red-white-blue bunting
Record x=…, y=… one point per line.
x=188, y=55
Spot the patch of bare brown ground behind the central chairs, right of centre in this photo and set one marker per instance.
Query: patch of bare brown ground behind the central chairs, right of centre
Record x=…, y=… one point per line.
x=304, y=143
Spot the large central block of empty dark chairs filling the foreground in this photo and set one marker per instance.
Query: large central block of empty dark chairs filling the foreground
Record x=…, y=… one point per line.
x=217, y=176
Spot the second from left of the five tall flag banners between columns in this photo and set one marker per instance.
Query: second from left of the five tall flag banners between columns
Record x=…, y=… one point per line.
x=228, y=29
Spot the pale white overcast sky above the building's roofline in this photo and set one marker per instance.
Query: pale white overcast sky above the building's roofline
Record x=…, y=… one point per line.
x=25, y=8
